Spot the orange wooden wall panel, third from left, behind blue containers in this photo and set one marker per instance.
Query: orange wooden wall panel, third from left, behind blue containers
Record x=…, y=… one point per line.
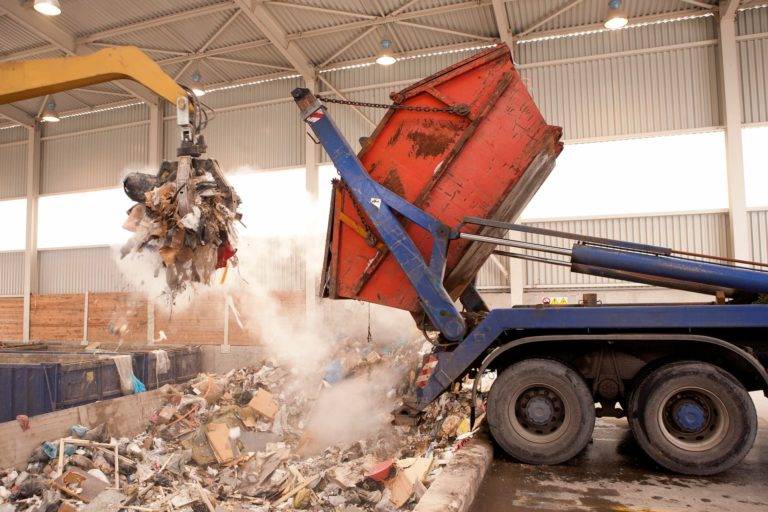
x=117, y=309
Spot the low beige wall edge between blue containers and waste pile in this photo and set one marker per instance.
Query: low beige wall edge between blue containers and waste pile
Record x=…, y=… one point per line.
x=125, y=416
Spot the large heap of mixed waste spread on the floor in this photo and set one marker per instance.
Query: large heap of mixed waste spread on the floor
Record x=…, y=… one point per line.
x=243, y=441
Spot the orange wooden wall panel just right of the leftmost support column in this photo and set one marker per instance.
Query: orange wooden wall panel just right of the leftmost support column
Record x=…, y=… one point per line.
x=57, y=317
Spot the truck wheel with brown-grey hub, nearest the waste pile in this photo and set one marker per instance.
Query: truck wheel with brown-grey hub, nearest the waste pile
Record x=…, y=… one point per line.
x=541, y=412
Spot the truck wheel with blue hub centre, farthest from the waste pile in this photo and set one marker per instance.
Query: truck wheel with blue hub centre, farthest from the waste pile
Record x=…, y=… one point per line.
x=693, y=418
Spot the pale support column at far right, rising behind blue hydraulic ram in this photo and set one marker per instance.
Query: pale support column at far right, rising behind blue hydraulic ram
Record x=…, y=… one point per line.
x=730, y=95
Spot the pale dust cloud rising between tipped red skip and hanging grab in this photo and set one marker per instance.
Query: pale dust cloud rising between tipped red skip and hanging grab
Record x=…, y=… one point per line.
x=297, y=331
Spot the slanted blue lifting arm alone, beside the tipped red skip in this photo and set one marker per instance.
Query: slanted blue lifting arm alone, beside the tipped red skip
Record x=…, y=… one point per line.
x=380, y=204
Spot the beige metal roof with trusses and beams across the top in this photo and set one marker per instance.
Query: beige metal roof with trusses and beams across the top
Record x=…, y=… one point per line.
x=235, y=41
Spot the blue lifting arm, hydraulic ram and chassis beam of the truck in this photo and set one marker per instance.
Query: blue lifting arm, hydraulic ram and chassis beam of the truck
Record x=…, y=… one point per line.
x=591, y=255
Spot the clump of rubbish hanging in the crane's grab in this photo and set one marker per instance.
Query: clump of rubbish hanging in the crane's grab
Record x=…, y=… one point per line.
x=186, y=213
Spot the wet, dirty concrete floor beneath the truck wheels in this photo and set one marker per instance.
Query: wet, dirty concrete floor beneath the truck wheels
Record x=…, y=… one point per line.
x=614, y=474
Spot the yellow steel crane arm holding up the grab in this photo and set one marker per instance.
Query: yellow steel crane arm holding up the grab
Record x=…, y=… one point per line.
x=20, y=80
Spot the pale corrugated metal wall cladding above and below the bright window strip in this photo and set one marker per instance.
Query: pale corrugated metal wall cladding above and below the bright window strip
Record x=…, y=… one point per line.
x=664, y=79
